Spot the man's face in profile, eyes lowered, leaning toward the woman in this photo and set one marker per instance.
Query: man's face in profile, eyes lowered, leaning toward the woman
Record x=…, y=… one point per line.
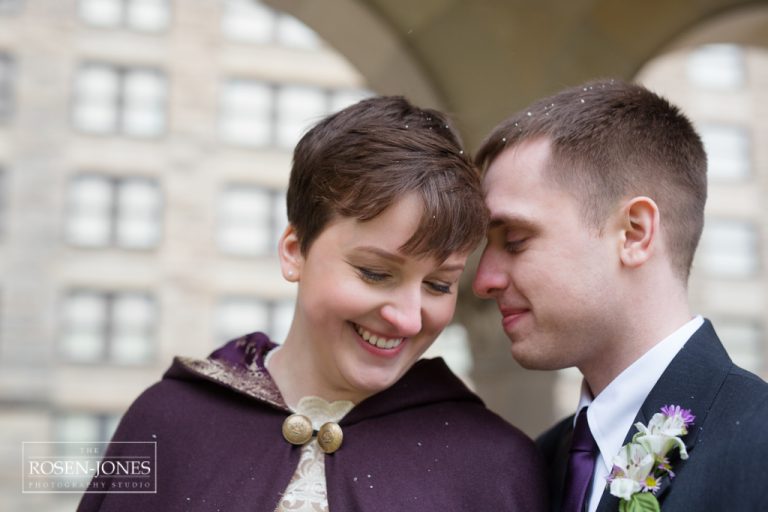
x=555, y=279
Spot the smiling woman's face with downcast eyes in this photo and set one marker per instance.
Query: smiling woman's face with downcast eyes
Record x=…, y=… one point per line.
x=365, y=311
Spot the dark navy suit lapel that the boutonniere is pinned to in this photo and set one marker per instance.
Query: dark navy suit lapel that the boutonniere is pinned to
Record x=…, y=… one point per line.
x=691, y=381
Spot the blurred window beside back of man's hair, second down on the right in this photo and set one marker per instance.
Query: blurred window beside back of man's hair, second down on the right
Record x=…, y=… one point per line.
x=728, y=151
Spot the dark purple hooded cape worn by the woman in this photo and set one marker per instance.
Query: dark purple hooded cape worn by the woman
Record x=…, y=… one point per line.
x=426, y=443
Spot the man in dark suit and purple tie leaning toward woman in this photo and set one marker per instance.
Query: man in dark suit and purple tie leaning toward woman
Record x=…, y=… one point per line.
x=596, y=197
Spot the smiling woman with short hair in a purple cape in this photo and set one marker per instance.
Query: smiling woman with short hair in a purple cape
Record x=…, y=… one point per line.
x=383, y=210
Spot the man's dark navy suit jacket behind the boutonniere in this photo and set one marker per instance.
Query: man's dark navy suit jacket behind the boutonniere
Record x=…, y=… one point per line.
x=727, y=468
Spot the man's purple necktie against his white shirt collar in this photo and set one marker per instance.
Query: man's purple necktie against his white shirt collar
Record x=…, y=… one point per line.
x=581, y=465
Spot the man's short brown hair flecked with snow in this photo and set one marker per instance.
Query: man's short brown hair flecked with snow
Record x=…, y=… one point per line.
x=611, y=140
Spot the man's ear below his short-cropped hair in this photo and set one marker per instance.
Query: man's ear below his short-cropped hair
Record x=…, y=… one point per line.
x=640, y=228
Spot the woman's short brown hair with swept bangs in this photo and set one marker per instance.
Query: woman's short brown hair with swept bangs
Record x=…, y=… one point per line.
x=363, y=159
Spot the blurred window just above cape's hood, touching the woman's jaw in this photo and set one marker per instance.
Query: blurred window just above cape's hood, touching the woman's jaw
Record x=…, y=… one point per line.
x=236, y=316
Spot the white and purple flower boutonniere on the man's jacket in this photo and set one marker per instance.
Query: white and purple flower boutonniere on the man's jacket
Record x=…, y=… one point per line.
x=643, y=463
